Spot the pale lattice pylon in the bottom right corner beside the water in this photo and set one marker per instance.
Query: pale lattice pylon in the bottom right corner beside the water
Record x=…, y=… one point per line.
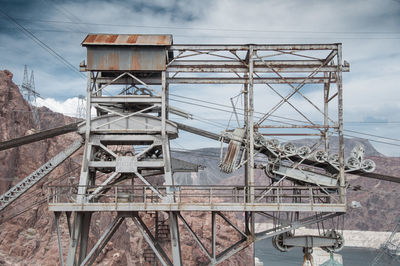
x=390, y=250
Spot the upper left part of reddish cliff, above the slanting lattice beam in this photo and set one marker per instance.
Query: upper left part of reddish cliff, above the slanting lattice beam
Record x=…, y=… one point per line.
x=16, y=120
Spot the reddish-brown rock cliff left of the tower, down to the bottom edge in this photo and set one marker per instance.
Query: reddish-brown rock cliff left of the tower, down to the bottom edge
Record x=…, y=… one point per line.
x=29, y=237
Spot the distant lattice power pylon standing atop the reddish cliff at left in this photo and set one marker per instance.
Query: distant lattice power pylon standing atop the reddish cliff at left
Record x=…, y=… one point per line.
x=29, y=93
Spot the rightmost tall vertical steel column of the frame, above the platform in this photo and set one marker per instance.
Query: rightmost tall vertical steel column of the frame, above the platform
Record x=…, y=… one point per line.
x=342, y=180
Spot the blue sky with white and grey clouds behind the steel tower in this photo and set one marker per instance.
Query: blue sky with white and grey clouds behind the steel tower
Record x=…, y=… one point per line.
x=368, y=29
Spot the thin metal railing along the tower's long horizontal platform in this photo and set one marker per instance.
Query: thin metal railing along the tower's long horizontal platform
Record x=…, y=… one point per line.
x=198, y=194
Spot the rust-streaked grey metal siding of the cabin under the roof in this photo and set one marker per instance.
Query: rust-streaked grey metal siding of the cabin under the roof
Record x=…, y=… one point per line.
x=141, y=58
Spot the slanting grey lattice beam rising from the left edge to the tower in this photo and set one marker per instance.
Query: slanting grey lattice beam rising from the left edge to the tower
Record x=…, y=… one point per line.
x=20, y=188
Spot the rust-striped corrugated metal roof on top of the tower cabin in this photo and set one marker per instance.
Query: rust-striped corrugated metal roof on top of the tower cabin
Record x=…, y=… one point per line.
x=127, y=39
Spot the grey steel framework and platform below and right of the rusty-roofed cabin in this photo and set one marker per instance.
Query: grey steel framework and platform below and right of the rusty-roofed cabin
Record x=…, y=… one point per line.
x=137, y=115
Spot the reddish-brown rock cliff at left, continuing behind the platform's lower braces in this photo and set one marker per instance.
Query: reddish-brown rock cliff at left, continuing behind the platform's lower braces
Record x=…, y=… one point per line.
x=28, y=235
